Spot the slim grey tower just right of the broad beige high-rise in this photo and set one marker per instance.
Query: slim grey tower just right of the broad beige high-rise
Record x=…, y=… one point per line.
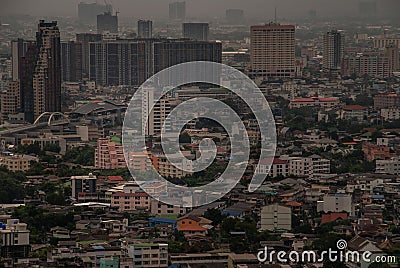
x=333, y=50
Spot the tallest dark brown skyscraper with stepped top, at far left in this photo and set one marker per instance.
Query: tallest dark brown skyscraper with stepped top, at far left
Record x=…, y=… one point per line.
x=47, y=74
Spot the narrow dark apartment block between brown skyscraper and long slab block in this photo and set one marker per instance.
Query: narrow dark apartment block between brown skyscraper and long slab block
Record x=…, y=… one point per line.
x=71, y=61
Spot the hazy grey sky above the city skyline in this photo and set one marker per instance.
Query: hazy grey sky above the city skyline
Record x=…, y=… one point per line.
x=200, y=8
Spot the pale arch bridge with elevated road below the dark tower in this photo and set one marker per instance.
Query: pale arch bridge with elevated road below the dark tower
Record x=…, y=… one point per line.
x=46, y=119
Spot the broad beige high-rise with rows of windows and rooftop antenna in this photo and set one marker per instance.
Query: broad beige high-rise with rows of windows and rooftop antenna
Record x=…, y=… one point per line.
x=272, y=51
